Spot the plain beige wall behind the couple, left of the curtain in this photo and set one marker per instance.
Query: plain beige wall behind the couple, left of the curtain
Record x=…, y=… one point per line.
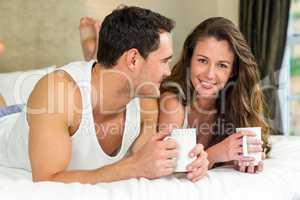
x=40, y=33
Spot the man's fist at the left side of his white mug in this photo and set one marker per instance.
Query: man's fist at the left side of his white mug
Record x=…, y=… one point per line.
x=156, y=158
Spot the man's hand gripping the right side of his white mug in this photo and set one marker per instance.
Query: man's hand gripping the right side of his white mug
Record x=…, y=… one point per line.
x=198, y=168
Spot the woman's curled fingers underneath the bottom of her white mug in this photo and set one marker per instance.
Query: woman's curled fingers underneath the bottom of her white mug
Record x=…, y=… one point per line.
x=249, y=167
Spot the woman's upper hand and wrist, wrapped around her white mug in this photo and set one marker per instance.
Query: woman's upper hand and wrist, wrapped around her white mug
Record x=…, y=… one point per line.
x=231, y=148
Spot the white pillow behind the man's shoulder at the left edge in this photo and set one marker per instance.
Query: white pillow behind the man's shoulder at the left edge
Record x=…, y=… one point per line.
x=15, y=87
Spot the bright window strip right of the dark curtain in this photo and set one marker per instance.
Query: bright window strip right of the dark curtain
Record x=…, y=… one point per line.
x=290, y=74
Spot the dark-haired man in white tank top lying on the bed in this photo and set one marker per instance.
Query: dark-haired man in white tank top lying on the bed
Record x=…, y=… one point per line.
x=84, y=117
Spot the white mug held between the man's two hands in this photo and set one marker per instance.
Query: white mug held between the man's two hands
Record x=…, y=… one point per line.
x=186, y=141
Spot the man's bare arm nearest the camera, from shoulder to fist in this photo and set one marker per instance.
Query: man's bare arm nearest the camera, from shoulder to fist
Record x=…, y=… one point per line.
x=50, y=145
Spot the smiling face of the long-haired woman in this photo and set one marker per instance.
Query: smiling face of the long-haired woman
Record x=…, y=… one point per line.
x=211, y=66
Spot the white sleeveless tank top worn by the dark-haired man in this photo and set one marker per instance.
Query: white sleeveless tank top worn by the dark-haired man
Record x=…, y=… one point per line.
x=86, y=150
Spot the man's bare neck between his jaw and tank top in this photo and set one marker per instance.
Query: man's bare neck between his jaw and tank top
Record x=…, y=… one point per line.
x=111, y=90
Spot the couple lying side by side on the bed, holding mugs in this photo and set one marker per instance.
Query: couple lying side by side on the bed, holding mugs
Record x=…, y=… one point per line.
x=89, y=122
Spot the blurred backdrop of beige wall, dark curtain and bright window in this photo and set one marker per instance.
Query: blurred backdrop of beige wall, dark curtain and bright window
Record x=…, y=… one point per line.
x=43, y=33
